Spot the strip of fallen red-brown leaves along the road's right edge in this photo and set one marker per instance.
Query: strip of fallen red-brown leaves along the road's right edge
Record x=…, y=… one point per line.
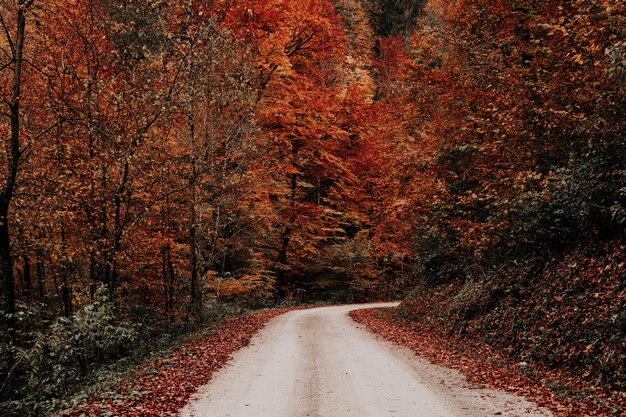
x=485, y=366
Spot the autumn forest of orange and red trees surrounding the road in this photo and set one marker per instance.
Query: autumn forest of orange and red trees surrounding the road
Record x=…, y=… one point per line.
x=166, y=163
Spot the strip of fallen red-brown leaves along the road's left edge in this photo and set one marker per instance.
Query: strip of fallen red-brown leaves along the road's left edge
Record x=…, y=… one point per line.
x=165, y=385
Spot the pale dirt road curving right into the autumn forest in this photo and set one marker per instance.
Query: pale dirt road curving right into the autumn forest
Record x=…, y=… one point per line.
x=319, y=363
